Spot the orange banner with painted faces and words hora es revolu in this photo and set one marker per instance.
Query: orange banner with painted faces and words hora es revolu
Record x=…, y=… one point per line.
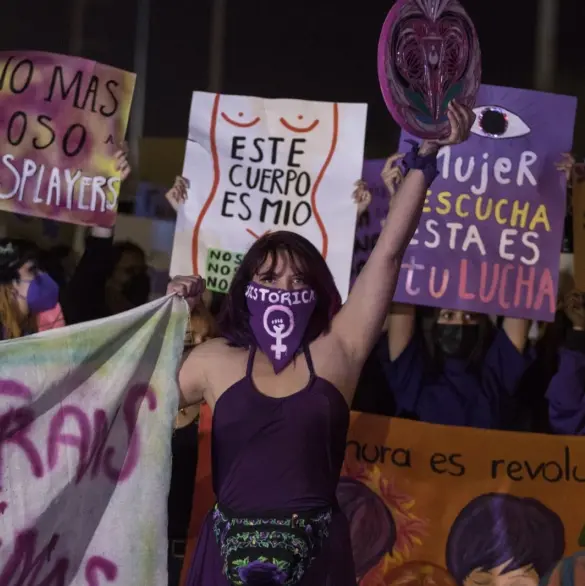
x=431, y=500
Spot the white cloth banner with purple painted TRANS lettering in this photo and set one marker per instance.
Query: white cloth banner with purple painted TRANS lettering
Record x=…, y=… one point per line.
x=86, y=416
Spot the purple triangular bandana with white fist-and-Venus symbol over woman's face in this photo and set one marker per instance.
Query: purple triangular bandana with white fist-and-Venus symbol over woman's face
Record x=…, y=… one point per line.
x=279, y=320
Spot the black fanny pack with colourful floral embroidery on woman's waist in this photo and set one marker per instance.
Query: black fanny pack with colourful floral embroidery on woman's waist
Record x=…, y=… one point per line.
x=272, y=550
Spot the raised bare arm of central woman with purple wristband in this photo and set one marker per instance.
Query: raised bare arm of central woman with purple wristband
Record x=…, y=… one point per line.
x=359, y=323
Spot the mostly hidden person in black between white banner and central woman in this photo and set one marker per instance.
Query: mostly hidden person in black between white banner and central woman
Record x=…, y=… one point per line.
x=184, y=443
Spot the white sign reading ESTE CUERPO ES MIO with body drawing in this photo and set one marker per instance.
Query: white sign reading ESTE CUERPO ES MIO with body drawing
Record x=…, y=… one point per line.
x=257, y=165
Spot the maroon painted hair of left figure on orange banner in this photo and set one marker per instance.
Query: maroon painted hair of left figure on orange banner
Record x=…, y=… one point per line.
x=372, y=527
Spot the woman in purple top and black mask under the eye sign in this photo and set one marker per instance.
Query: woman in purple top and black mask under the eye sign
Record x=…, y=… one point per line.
x=470, y=375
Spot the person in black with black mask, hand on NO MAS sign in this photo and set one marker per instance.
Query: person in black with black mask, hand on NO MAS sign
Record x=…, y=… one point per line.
x=110, y=277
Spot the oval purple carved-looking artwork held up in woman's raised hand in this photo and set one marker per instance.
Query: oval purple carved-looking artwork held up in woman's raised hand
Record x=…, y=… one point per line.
x=428, y=55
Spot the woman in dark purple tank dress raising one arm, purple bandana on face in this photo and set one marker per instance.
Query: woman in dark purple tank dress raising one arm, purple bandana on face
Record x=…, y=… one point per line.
x=280, y=381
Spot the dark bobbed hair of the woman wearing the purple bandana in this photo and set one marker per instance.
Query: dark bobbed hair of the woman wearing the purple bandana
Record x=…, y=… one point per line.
x=305, y=258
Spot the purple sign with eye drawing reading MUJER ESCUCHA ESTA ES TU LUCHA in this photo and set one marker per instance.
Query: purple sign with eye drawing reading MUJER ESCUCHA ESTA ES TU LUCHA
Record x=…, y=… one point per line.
x=491, y=230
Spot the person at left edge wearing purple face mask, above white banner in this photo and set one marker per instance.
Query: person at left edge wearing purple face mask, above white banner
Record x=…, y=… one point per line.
x=29, y=297
